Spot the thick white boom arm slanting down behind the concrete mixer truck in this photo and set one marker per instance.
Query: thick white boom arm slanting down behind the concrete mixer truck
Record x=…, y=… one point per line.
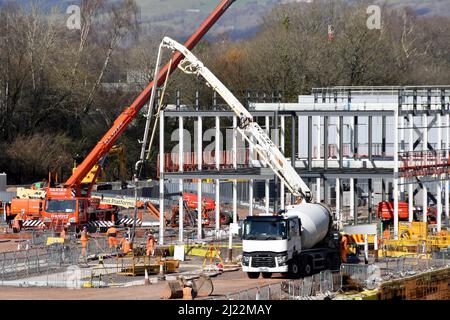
x=266, y=149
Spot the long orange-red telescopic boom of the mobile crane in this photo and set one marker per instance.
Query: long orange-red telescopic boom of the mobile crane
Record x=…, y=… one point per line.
x=121, y=123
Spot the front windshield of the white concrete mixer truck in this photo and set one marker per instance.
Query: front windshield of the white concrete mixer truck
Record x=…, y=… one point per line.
x=265, y=230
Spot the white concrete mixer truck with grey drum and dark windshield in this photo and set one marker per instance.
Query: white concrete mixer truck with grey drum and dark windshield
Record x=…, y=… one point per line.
x=296, y=242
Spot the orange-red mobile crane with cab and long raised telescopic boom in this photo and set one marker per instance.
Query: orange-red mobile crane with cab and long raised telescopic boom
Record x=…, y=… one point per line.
x=72, y=204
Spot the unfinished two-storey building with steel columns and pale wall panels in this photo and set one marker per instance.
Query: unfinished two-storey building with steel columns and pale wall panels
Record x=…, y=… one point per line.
x=355, y=146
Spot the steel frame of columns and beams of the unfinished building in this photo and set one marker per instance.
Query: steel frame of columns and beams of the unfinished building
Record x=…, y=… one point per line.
x=406, y=167
